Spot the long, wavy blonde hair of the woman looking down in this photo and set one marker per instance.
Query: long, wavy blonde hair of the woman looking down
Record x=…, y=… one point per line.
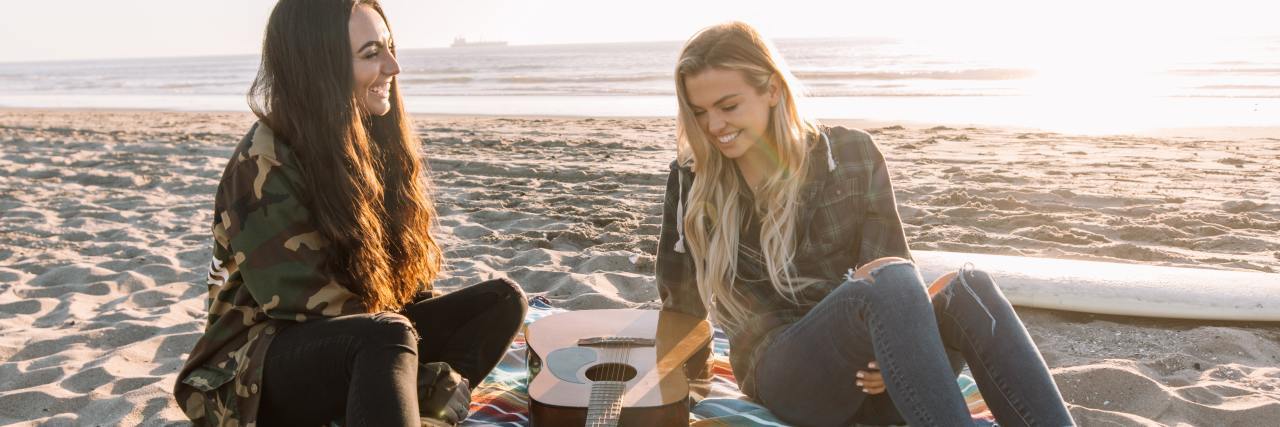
x=714, y=214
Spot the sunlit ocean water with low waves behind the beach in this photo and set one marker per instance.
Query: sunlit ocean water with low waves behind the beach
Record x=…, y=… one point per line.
x=1236, y=84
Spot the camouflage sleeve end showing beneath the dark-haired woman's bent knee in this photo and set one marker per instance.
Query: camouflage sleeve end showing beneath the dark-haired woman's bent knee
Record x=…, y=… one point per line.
x=442, y=393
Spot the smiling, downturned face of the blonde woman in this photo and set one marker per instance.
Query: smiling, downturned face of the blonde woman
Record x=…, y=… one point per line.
x=733, y=114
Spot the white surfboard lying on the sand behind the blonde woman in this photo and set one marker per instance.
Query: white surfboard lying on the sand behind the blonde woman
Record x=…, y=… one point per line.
x=1127, y=290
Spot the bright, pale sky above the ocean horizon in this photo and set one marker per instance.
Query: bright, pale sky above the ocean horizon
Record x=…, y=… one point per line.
x=71, y=30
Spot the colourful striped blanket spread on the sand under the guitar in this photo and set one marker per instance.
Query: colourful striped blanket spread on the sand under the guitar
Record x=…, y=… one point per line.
x=502, y=400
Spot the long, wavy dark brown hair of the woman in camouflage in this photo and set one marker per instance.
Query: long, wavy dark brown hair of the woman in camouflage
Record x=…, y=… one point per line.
x=365, y=182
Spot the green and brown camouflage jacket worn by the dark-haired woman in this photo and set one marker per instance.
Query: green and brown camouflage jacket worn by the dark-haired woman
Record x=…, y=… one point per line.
x=266, y=276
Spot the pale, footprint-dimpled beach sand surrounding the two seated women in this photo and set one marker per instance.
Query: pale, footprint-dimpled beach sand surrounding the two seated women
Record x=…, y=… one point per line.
x=104, y=242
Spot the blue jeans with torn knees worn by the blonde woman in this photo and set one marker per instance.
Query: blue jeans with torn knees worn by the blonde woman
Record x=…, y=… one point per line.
x=807, y=374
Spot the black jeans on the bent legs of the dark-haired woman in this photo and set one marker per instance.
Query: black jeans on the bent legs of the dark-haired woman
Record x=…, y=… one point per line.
x=364, y=369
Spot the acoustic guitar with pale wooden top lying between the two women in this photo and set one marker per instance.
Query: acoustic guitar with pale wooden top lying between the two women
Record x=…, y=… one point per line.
x=612, y=368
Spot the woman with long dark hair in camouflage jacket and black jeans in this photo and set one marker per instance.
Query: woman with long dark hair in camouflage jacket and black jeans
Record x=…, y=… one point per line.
x=321, y=304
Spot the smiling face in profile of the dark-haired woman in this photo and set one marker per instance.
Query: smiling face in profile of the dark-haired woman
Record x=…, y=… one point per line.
x=372, y=61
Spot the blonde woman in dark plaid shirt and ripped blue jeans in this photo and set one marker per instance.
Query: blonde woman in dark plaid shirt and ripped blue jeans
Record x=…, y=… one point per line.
x=766, y=217
